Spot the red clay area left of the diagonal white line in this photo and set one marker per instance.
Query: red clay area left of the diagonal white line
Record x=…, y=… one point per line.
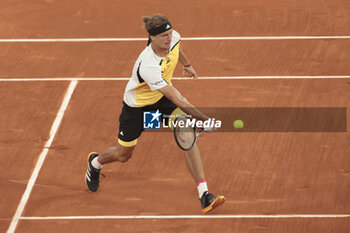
x=28, y=110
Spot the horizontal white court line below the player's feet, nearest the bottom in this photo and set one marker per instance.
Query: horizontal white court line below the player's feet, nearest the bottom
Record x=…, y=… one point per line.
x=190, y=217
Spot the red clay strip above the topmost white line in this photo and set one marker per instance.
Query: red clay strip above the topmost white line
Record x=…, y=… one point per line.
x=109, y=18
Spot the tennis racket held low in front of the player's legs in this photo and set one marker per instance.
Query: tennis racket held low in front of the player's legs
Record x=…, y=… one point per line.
x=185, y=136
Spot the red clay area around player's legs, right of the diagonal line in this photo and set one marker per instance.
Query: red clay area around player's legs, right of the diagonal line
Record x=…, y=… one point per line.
x=301, y=175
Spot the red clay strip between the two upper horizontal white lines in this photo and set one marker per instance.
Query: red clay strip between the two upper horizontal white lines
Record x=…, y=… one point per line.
x=210, y=58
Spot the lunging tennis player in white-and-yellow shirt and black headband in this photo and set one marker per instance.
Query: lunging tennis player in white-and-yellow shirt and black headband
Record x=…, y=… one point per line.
x=150, y=89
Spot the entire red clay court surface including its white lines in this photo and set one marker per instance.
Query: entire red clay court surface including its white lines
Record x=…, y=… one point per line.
x=61, y=100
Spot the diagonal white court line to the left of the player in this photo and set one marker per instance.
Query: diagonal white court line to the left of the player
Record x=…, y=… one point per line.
x=42, y=157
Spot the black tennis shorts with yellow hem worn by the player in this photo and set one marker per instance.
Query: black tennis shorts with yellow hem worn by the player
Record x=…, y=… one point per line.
x=131, y=118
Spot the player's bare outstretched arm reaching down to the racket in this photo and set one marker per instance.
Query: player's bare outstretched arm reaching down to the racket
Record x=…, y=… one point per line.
x=175, y=96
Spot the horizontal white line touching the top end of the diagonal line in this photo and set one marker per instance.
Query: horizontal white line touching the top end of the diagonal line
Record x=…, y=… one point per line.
x=175, y=78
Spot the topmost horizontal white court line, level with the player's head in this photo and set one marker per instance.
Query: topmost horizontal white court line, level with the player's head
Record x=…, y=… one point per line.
x=184, y=38
